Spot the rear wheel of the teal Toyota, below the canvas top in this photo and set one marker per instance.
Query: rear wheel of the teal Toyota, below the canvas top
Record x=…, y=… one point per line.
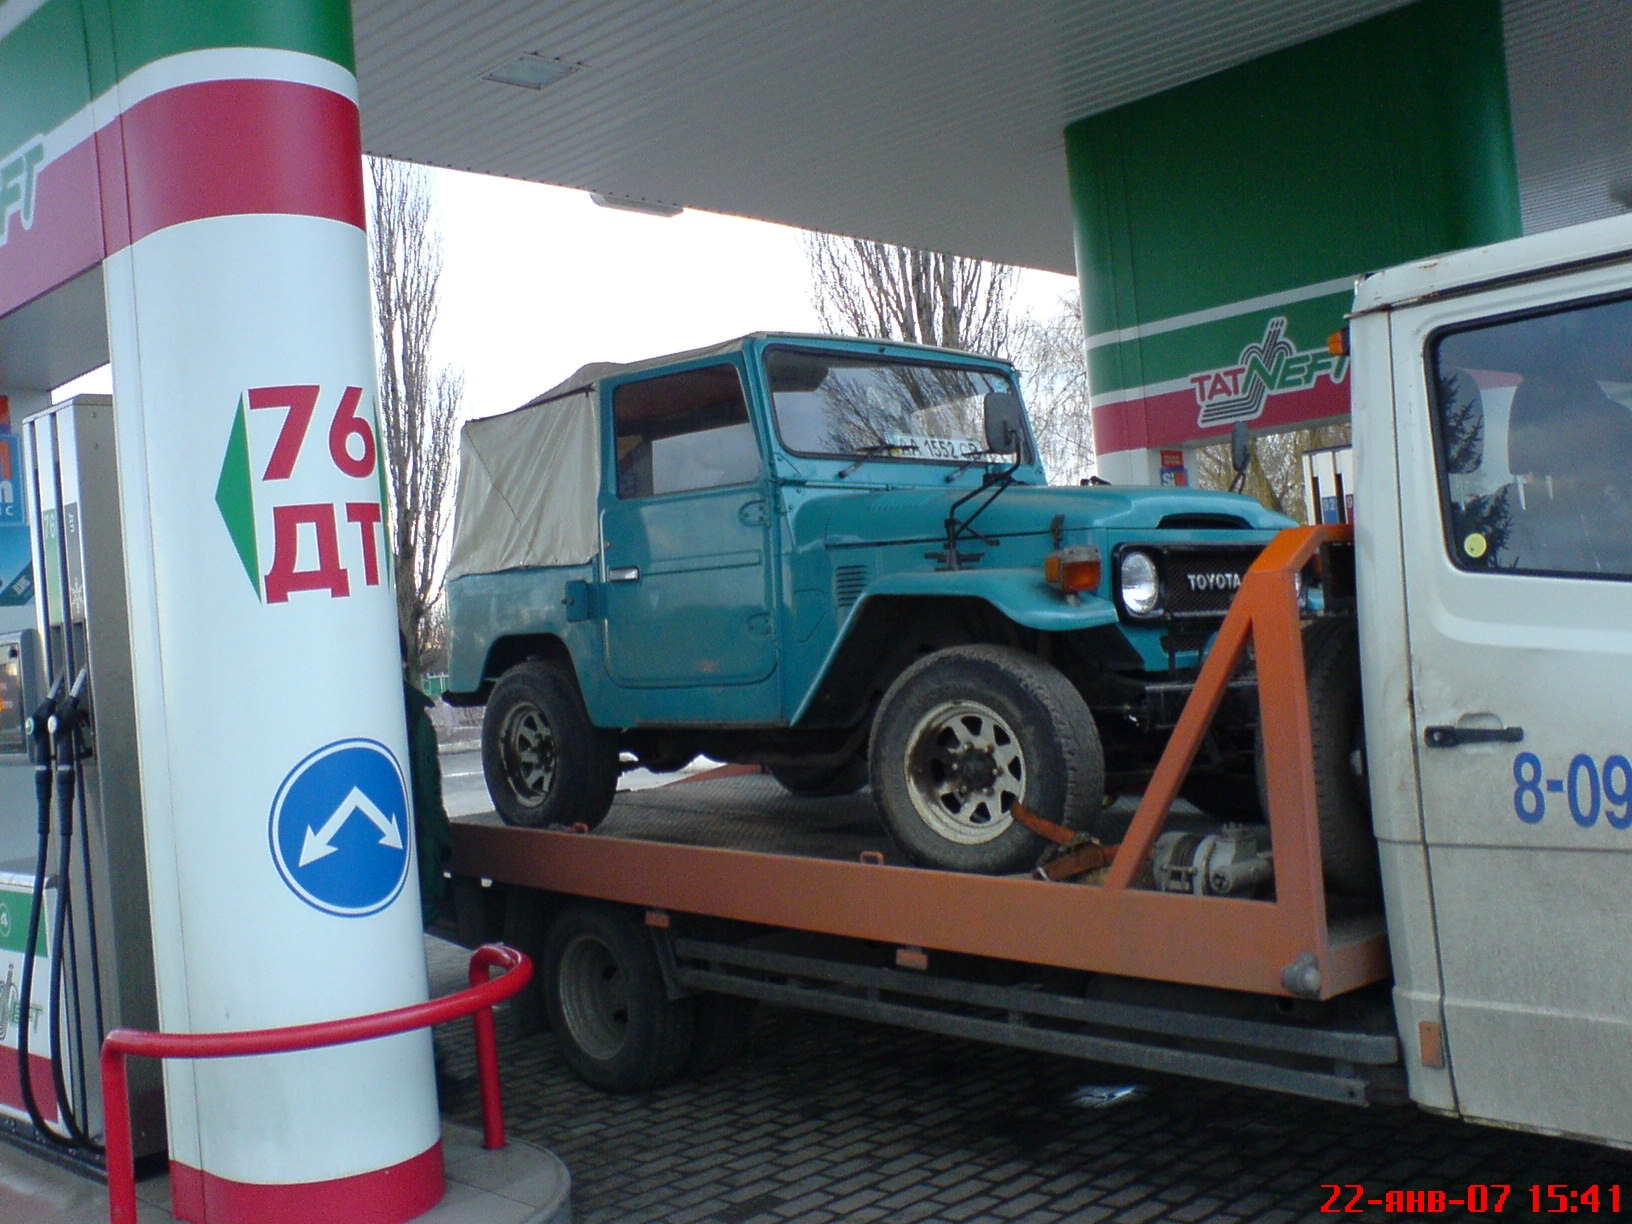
x=543, y=758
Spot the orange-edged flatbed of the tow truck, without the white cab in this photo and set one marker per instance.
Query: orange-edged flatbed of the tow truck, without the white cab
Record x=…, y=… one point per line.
x=745, y=890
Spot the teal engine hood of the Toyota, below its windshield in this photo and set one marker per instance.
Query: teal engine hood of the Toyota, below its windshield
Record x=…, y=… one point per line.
x=890, y=517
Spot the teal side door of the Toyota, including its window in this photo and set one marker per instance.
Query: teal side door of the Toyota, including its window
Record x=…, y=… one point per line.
x=685, y=536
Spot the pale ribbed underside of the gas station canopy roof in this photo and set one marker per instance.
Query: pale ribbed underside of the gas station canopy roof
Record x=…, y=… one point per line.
x=938, y=126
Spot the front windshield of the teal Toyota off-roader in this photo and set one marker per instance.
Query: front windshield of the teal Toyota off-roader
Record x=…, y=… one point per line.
x=853, y=407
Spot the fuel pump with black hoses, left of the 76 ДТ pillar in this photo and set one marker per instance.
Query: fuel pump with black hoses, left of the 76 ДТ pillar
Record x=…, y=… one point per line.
x=86, y=949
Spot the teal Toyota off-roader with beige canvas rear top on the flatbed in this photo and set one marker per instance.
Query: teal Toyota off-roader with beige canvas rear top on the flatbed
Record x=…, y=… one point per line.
x=836, y=559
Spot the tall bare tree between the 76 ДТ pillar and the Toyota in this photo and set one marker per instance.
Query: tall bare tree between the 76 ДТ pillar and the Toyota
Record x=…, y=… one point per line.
x=419, y=401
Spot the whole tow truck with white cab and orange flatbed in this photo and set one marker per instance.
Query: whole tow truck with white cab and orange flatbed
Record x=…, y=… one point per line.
x=1486, y=980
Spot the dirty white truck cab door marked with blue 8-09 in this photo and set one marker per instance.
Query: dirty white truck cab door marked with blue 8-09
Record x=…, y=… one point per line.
x=1514, y=441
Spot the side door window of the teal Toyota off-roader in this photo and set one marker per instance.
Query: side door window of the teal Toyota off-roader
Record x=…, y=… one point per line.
x=683, y=432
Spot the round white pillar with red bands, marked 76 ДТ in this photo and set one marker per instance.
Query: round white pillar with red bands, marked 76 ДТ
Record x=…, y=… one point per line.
x=265, y=655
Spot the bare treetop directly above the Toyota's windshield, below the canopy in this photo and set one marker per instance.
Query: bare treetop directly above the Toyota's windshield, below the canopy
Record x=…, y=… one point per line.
x=880, y=291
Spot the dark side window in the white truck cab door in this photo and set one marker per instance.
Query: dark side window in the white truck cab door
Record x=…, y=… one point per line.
x=1533, y=435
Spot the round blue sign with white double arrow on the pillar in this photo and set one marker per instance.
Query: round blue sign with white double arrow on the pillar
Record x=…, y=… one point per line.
x=340, y=828
